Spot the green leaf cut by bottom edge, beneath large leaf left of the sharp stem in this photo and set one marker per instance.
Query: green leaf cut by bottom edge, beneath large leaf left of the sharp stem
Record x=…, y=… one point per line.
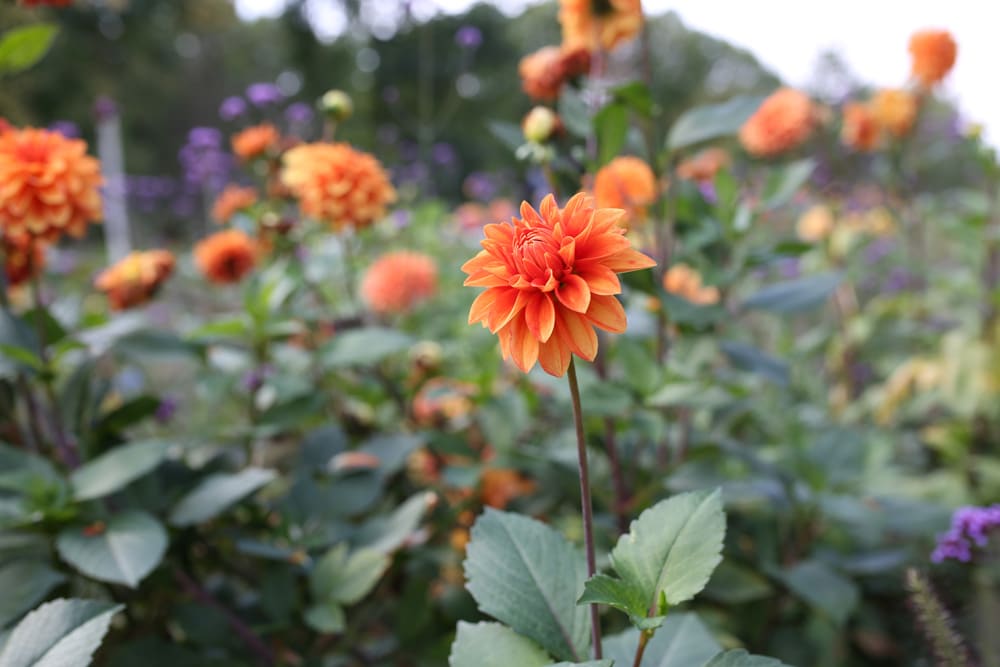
x=494, y=645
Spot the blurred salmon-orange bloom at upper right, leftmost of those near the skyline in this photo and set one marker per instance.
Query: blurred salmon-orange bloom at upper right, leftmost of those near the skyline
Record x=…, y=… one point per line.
x=783, y=121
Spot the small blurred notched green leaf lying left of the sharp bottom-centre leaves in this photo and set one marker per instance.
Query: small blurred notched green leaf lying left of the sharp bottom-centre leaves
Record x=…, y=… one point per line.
x=346, y=578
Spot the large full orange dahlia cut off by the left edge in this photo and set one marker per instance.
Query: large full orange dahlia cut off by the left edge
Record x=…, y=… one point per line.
x=48, y=185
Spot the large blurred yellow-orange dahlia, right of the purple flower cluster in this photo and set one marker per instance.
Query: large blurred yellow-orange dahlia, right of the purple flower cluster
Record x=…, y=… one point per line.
x=338, y=184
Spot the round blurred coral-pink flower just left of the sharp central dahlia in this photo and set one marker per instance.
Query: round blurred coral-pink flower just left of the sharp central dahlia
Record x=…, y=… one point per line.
x=397, y=281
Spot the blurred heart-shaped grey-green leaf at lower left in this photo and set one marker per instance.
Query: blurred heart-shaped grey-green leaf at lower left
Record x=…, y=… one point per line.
x=127, y=549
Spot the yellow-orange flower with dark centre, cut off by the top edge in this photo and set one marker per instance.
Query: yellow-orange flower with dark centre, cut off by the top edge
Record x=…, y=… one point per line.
x=598, y=24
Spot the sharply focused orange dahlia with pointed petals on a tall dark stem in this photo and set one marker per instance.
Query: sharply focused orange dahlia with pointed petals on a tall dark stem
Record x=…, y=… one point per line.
x=551, y=278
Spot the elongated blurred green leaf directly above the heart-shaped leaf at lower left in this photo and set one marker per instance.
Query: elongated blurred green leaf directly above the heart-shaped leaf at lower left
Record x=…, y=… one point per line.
x=115, y=469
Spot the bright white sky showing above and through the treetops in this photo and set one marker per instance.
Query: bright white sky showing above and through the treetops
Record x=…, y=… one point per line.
x=788, y=35
